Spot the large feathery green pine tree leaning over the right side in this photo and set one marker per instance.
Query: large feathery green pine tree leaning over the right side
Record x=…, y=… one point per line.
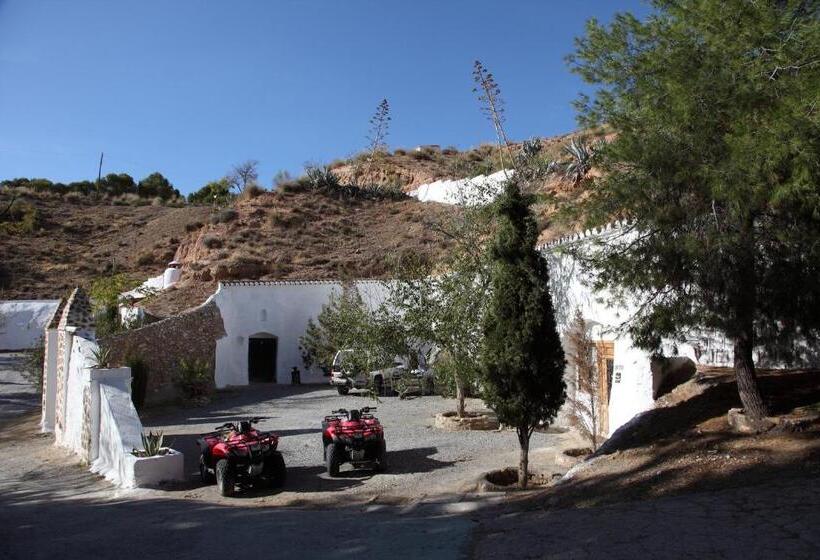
x=714, y=106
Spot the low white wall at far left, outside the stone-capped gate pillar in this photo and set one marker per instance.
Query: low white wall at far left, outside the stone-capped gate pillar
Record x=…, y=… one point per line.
x=22, y=322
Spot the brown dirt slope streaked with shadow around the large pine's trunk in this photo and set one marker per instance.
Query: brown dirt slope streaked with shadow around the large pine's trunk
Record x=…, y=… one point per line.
x=687, y=445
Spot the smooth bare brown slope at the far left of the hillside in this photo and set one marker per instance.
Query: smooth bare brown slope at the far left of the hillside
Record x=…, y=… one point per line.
x=80, y=239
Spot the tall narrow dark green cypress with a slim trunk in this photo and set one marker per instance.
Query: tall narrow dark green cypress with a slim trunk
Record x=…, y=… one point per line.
x=522, y=359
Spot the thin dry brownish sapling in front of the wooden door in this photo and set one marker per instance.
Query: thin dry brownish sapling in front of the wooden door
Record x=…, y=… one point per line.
x=585, y=405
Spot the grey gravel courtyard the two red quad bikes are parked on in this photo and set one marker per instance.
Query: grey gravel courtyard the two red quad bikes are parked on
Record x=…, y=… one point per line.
x=424, y=462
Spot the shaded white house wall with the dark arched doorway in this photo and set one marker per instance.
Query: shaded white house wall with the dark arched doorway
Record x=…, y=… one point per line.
x=281, y=309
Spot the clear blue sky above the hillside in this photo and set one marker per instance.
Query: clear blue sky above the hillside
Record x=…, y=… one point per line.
x=189, y=87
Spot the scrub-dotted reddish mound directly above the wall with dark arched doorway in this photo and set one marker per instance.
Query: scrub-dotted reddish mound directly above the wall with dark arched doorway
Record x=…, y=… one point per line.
x=300, y=234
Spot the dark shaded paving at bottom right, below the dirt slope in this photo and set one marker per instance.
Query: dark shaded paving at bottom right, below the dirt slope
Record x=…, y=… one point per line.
x=780, y=520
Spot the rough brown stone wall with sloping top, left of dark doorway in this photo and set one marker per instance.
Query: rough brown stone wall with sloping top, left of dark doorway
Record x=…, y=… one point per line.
x=161, y=345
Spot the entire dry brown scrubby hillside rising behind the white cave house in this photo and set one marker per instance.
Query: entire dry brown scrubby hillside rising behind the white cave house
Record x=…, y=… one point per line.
x=292, y=233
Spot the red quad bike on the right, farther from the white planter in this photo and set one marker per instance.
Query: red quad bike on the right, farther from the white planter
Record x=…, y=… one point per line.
x=353, y=436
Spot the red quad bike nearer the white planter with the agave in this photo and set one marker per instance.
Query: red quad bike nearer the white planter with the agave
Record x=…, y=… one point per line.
x=240, y=454
